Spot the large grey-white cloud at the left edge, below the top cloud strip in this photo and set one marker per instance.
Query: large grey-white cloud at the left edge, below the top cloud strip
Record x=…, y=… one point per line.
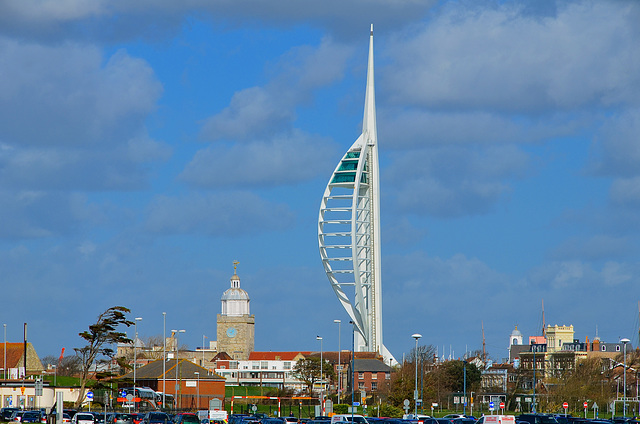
x=70, y=120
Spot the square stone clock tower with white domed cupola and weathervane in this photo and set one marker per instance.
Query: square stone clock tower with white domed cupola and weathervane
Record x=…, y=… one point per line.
x=236, y=326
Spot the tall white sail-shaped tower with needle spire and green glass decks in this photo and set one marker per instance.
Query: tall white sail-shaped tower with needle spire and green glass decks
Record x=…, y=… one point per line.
x=349, y=230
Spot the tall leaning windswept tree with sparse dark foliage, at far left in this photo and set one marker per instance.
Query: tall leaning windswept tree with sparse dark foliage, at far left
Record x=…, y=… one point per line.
x=100, y=337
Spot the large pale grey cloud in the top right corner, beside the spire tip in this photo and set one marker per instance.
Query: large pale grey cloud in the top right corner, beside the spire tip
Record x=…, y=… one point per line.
x=471, y=57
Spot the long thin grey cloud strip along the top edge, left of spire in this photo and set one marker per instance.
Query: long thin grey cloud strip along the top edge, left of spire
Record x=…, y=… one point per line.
x=122, y=19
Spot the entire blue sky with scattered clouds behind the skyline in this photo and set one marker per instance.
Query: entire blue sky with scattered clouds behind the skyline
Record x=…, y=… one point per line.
x=145, y=146
